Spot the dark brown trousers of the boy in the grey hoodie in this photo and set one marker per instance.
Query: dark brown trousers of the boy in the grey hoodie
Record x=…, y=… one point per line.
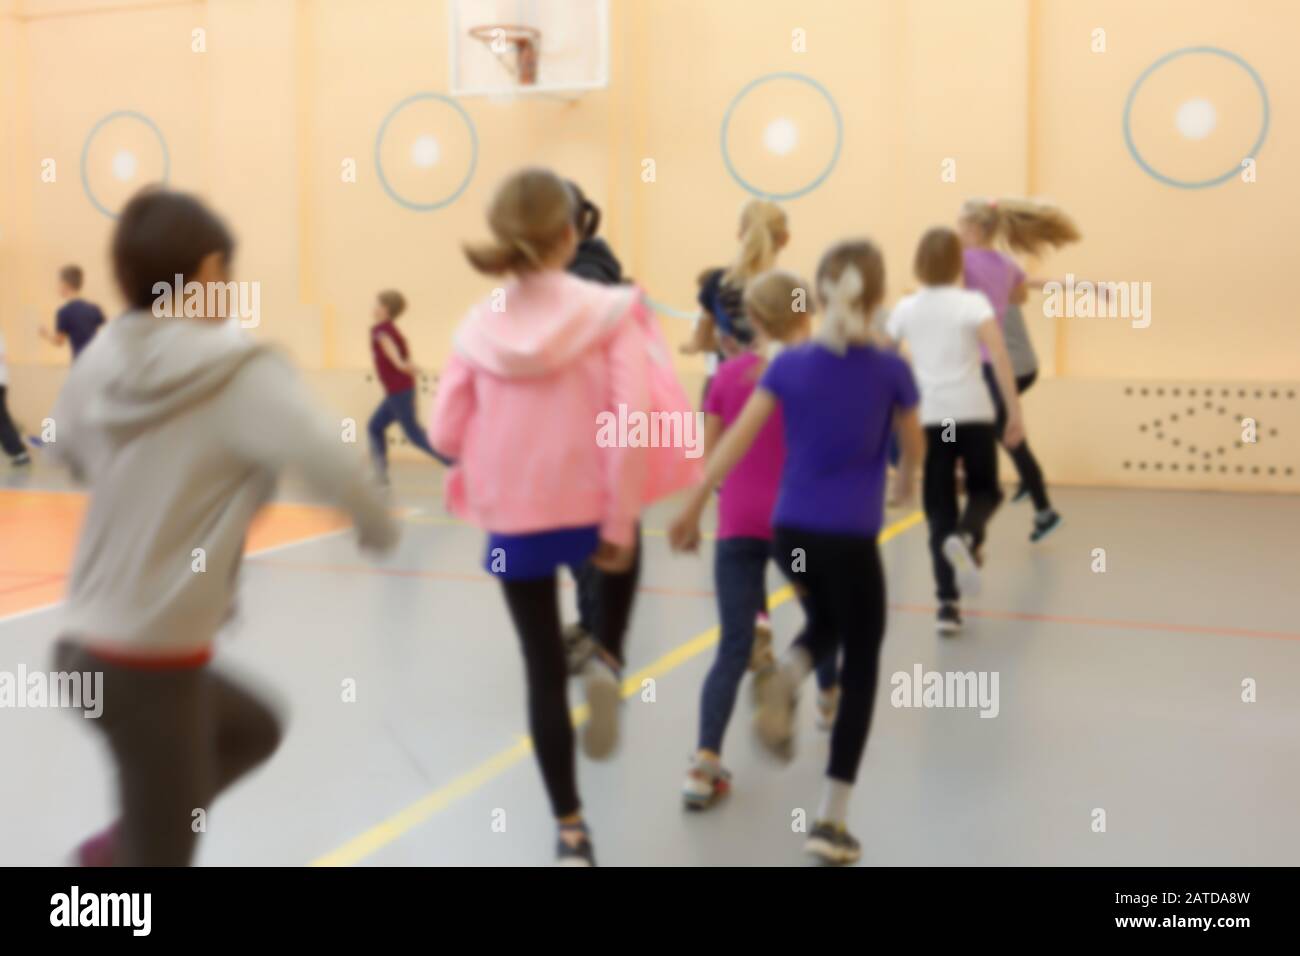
x=180, y=739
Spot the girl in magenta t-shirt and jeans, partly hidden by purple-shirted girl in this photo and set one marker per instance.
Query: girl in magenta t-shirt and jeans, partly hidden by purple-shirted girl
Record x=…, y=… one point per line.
x=777, y=313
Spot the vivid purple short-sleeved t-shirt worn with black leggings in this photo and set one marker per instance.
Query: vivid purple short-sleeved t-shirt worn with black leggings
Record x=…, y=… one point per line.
x=839, y=414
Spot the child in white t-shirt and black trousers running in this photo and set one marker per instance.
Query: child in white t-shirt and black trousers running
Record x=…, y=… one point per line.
x=944, y=327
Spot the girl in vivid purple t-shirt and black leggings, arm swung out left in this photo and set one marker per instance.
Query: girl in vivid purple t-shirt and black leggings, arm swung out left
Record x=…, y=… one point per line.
x=839, y=397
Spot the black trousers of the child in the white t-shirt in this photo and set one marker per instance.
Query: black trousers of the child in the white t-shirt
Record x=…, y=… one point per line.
x=976, y=447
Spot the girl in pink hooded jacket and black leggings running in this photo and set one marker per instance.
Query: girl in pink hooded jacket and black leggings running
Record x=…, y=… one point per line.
x=538, y=367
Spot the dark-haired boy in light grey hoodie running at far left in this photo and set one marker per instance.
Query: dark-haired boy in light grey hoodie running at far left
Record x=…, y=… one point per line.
x=180, y=425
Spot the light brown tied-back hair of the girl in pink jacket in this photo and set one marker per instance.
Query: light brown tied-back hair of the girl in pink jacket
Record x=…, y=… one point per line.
x=528, y=217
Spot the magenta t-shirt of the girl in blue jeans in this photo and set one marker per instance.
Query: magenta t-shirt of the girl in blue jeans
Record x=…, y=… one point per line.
x=749, y=494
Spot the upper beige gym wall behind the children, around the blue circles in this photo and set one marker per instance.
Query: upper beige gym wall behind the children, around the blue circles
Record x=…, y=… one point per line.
x=1011, y=90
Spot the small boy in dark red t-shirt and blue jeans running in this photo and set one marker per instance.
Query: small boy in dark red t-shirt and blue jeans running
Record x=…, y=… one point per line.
x=397, y=374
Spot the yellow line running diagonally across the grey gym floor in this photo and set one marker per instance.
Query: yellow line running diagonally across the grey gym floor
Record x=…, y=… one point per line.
x=406, y=820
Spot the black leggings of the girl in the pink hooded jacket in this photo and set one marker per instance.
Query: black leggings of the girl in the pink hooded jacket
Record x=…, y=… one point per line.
x=536, y=612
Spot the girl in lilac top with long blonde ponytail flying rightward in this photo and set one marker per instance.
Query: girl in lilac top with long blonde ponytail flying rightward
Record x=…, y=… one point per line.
x=1030, y=227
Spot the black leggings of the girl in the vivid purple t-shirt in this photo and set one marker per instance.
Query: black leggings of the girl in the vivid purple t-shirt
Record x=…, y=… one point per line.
x=842, y=587
